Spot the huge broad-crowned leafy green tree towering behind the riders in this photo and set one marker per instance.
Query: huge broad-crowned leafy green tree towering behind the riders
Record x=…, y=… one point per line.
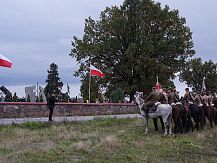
x=134, y=43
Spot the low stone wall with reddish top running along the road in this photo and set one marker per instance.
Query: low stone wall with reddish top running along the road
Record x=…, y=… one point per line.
x=27, y=109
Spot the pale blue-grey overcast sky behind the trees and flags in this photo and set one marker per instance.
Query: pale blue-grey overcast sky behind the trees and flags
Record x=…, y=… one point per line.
x=36, y=33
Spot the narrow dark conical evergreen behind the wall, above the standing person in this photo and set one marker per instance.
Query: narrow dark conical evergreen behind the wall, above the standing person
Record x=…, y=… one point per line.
x=54, y=85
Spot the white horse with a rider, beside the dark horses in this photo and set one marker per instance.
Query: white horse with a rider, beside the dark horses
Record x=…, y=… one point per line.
x=163, y=110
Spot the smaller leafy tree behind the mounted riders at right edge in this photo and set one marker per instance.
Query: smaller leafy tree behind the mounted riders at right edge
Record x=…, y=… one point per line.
x=194, y=72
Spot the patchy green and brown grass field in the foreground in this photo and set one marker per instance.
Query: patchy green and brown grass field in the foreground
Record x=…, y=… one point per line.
x=103, y=140
